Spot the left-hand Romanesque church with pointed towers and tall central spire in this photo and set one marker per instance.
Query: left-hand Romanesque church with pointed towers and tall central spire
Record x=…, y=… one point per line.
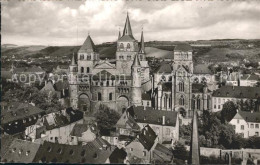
x=116, y=82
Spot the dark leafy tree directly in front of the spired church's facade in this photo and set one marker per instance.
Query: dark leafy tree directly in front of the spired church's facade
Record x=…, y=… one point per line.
x=106, y=118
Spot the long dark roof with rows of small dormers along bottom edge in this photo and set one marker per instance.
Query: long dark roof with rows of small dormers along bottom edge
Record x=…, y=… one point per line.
x=61, y=153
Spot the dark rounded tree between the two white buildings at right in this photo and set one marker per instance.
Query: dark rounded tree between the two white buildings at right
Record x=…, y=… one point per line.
x=229, y=111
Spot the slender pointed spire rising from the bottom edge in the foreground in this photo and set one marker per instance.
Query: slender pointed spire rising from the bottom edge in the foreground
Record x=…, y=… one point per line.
x=194, y=145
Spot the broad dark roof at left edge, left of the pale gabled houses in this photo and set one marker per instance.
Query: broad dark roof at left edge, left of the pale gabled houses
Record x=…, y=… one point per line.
x=20, y=112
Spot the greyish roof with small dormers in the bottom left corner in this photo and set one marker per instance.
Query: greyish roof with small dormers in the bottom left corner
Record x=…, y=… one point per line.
x=21, y=151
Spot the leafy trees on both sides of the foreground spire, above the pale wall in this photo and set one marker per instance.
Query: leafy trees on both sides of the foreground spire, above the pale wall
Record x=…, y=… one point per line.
x=215, y=132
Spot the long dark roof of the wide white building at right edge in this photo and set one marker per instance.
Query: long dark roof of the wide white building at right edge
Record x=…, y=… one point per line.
x=237, y=92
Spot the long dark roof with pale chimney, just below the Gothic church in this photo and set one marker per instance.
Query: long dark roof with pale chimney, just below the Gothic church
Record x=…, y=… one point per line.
x=151, y=116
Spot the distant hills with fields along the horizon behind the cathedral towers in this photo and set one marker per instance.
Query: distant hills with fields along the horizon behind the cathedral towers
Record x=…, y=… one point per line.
x=218, y=50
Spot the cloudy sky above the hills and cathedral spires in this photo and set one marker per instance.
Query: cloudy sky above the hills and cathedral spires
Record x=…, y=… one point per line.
x=68, y=22
